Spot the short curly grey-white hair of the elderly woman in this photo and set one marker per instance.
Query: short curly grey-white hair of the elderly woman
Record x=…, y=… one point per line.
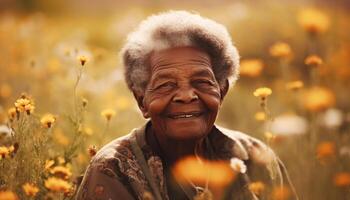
x=175, y=29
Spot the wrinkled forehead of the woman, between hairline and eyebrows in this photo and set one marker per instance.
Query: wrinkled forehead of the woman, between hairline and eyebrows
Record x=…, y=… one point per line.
x=179, y=56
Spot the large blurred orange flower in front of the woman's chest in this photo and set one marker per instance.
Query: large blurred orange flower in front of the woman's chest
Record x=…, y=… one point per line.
x=217, y=173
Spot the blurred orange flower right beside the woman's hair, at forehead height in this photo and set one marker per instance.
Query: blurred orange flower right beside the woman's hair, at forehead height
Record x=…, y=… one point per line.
x=251, y=67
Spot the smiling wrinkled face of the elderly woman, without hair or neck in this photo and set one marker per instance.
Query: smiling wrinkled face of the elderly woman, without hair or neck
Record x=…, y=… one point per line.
x=182, y=97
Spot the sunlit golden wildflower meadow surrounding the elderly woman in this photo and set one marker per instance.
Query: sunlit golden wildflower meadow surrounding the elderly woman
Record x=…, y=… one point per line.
x=62, y=94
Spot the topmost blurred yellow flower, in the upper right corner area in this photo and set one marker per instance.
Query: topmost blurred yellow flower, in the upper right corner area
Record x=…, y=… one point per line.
x=313, y=21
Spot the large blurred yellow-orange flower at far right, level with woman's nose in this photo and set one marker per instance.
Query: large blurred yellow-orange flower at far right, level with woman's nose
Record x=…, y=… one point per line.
x=318, y=99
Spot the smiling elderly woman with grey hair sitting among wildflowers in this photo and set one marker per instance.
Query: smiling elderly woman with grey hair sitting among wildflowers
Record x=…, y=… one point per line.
x=179, y=66
